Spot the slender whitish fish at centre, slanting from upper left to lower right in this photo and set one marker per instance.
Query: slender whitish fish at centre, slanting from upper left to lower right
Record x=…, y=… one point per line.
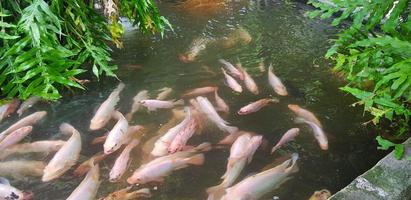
x=207, y=108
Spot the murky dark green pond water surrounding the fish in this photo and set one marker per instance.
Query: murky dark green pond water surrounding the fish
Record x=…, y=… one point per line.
x=282, y=35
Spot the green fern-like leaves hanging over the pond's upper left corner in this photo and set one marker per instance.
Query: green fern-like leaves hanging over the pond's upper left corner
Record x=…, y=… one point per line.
x=47, y=43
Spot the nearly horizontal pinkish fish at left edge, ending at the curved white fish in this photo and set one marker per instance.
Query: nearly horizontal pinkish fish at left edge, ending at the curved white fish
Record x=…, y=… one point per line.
x=45, y=146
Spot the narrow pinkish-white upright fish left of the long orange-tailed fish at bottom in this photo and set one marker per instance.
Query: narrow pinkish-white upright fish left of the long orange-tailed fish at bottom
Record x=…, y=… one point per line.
x=122, y=162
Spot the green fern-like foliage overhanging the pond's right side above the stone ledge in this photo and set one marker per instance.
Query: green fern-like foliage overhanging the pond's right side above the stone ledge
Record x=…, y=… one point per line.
x=373, y=51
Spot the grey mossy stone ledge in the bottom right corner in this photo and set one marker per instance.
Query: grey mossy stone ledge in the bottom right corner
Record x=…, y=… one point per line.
x=389, y=179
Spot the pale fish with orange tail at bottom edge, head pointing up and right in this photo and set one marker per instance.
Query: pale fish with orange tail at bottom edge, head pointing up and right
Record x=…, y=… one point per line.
x=241, y=153
